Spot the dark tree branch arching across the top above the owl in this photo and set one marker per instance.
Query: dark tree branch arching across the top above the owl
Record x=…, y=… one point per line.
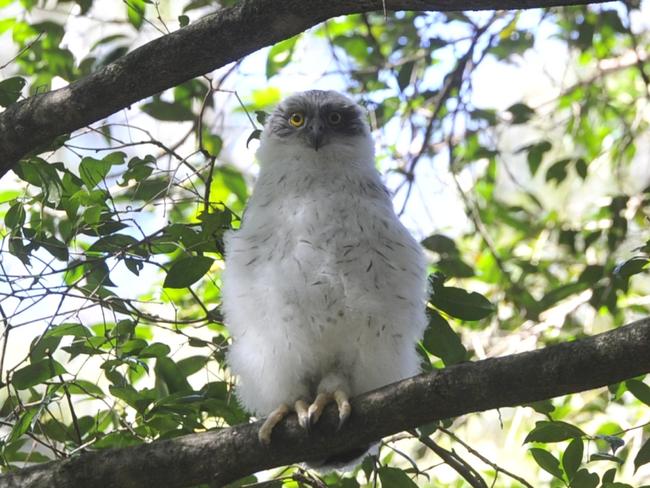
x=210, y=43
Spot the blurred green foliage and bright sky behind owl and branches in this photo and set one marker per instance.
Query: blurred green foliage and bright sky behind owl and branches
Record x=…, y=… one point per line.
x=517, y=148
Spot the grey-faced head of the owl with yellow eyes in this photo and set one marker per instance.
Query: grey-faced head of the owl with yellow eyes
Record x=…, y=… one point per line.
x=317, y=119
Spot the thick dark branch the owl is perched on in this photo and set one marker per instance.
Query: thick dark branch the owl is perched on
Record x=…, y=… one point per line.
x=219, y=457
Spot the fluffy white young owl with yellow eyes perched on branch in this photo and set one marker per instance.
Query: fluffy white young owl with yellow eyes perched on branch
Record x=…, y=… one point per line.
x=323, y=288
